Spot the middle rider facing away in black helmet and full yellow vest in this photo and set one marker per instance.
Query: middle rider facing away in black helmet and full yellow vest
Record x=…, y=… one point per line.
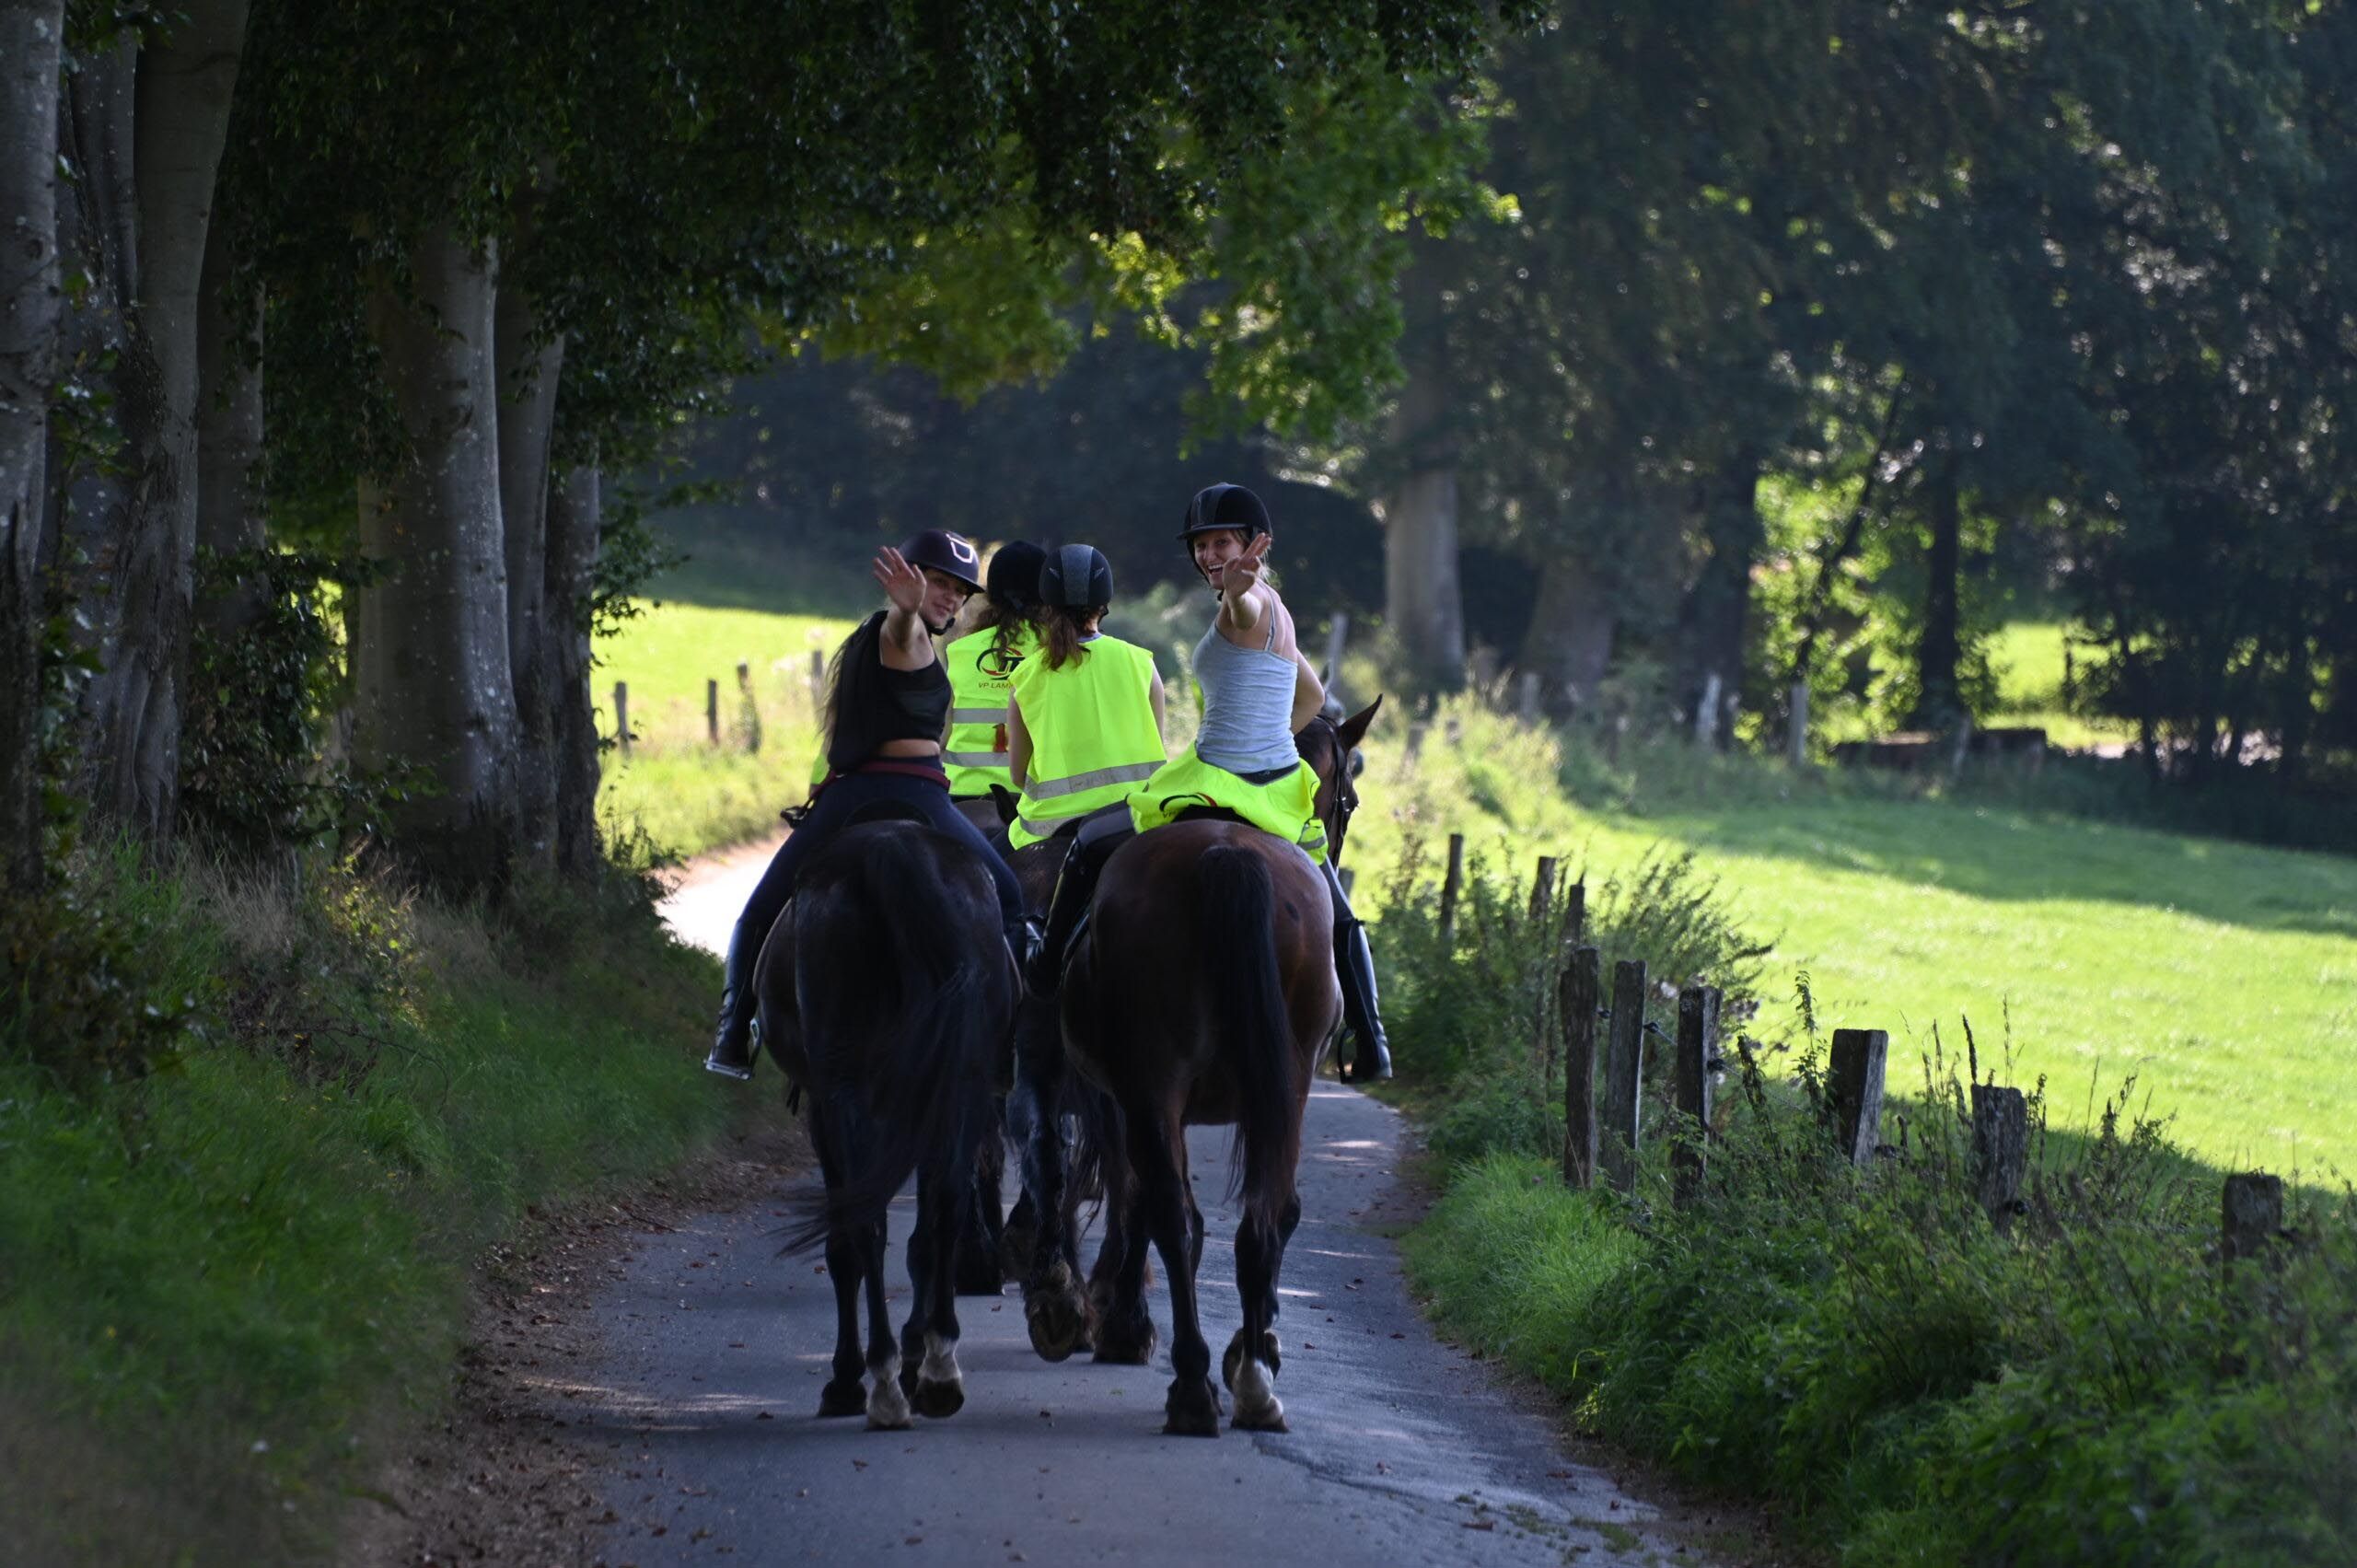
x=1085, y=718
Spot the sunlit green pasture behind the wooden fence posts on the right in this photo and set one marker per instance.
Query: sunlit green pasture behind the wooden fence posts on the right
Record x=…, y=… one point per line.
x=2221, y=975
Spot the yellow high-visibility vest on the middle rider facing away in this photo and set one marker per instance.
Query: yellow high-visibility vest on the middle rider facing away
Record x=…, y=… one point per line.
x=1092, y=730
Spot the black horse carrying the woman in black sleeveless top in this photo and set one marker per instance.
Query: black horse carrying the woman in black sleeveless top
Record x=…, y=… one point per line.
x=885, y=991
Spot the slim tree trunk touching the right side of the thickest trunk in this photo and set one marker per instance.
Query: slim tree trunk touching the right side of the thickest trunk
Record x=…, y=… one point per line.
x=527, y=419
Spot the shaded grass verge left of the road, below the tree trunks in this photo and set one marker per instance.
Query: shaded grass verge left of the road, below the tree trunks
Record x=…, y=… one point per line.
x=232, y=1286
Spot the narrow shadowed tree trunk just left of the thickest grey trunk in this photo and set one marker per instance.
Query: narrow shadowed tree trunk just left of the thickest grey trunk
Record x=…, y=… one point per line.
x=227, y=435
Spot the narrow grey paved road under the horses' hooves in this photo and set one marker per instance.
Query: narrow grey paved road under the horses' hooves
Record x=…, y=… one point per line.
x=1401, y=1449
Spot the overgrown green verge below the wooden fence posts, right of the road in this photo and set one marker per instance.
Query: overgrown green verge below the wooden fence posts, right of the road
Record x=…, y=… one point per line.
x=1908, y=1383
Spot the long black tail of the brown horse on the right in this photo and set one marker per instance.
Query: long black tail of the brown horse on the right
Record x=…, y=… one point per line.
x=1236, y=930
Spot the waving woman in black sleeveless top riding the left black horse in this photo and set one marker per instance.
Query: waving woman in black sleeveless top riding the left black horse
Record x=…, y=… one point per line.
x=887, y=706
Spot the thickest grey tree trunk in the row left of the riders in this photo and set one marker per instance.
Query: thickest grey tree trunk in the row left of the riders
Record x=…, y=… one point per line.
x=435, y=687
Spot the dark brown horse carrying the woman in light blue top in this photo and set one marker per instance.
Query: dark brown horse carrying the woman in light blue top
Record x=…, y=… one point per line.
x=1203, y=994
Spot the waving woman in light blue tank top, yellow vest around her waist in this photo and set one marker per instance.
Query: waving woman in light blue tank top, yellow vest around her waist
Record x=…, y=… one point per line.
x=1257, y=697
